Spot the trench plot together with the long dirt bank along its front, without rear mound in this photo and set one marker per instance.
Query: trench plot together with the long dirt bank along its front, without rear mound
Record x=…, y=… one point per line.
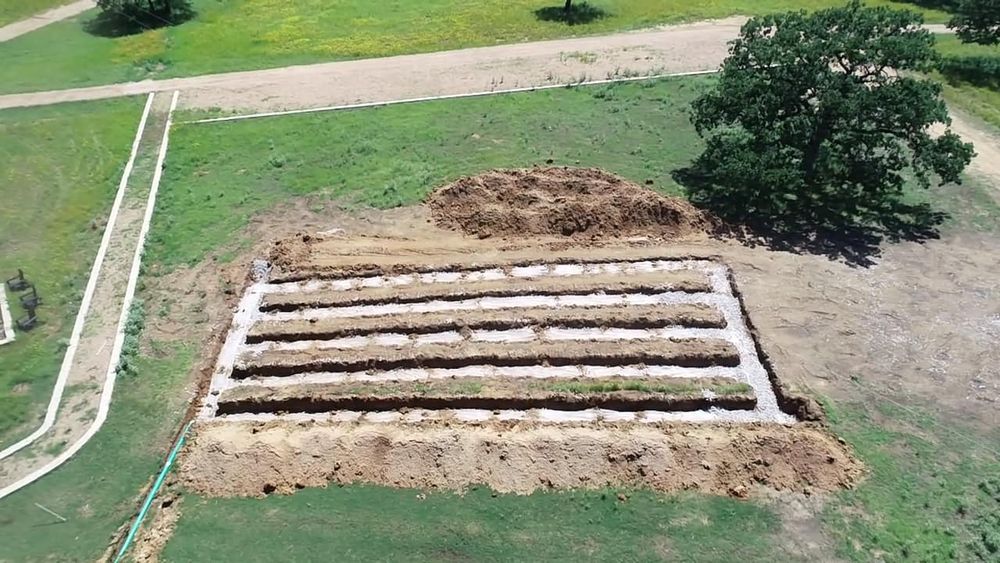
x=478, y=373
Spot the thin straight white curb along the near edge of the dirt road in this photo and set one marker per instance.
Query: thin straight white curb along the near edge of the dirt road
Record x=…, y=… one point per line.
x=364, y=105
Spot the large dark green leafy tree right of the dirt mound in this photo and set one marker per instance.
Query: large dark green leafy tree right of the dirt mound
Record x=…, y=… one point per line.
x=814, y=123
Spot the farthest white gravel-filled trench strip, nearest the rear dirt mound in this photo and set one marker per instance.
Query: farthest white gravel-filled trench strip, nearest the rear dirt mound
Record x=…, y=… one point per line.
x=491, y=274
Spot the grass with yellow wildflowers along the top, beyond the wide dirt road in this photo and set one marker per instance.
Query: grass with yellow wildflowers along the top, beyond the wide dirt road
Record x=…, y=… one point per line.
x=249, y=34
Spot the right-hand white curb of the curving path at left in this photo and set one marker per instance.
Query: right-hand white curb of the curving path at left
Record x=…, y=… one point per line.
x=109, y=381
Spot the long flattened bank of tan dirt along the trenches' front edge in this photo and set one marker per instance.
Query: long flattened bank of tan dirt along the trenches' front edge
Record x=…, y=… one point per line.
x=252, y=459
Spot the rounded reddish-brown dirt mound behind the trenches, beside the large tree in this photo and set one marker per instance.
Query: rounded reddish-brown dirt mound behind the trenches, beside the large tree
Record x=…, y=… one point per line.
x=585, y=202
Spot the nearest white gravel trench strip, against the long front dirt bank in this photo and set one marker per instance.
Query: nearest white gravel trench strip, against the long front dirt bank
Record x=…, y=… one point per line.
x=552, y=416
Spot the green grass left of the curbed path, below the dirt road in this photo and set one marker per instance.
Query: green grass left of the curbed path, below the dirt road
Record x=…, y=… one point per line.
x=61, y=167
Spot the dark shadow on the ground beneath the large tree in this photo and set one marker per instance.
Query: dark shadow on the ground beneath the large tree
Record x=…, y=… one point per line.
x=853, y=239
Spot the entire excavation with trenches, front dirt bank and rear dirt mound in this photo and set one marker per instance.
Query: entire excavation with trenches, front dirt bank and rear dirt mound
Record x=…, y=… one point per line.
x=514, y=339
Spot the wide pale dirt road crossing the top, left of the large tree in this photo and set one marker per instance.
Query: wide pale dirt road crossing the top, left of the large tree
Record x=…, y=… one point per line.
x=691, y=47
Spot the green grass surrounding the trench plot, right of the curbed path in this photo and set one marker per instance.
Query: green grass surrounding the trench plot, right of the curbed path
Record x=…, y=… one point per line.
x=219, y=176
